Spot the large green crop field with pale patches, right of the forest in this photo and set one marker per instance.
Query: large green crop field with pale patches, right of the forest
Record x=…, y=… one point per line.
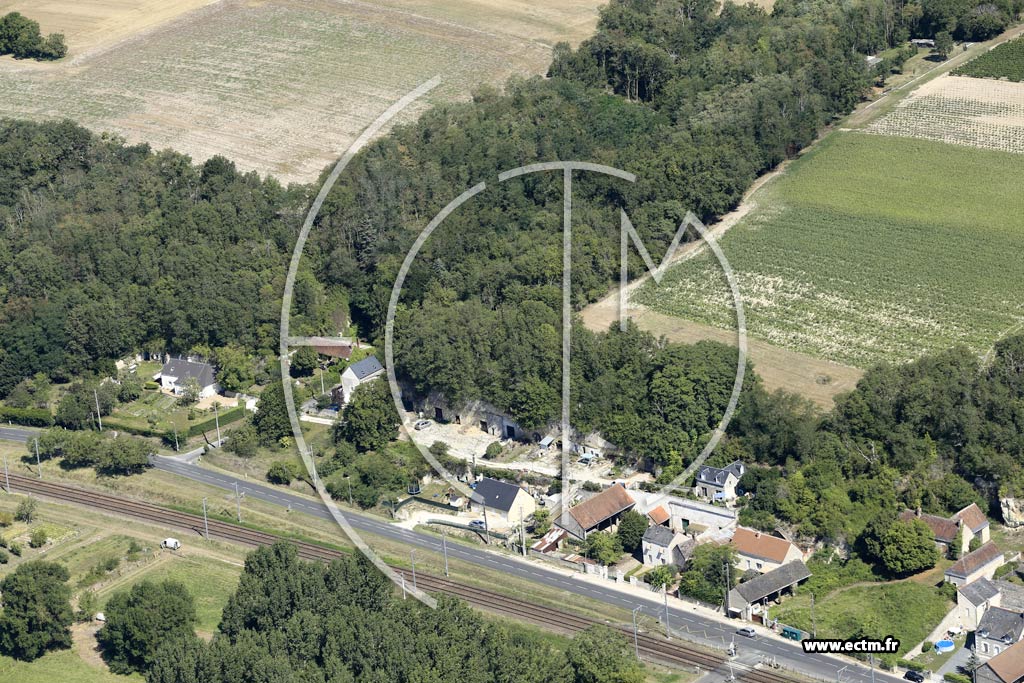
x=871, y=248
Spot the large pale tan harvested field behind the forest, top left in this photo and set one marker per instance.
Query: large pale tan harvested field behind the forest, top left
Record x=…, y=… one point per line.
x=284, y=87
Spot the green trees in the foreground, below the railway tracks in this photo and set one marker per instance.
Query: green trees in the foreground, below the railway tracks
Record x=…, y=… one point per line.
x=300, y=622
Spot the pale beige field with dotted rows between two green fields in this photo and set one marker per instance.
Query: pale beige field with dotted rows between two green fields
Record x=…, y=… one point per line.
x=959, y=110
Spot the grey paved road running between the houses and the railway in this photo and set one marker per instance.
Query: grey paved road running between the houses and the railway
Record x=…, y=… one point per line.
x=688, y=624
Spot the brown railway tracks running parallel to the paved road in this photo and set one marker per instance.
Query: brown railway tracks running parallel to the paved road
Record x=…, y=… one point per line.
x=672, y=653
